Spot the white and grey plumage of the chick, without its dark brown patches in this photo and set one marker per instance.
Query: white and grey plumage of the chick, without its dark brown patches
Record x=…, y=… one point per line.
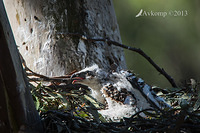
x=132, y=103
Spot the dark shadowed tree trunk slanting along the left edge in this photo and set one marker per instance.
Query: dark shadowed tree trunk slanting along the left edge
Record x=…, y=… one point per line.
x=17, y=110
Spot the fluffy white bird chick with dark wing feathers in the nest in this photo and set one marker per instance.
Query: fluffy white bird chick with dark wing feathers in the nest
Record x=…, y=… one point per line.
x=122, y=91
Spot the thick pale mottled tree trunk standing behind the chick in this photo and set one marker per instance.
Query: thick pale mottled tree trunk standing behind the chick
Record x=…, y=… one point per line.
x=39, y=28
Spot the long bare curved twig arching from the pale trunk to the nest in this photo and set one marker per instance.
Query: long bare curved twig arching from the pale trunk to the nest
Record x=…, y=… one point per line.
x=137, y=50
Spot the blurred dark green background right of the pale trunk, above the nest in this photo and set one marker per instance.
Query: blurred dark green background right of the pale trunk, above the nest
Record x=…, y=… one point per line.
x=171, y=41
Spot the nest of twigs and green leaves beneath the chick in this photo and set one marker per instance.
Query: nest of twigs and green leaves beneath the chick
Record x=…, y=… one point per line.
x=71, y=109
